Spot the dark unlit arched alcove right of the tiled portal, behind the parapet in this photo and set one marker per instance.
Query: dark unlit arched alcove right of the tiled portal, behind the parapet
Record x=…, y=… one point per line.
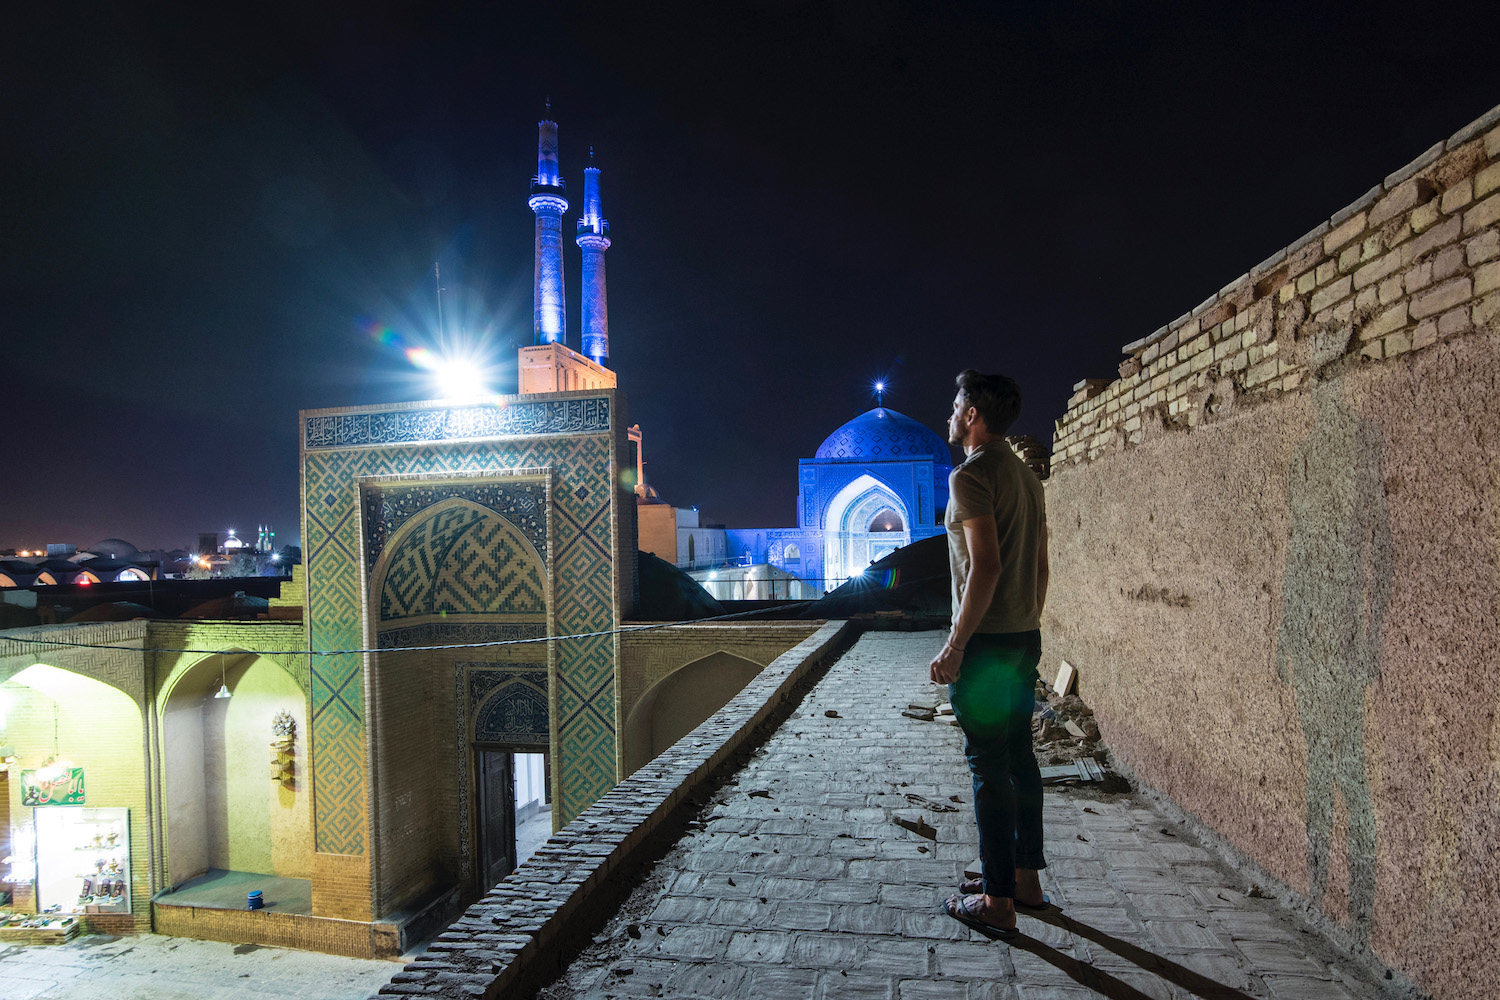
x=680, y=702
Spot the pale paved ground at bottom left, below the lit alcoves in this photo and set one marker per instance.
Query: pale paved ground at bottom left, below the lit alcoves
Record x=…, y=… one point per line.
x=155, y=968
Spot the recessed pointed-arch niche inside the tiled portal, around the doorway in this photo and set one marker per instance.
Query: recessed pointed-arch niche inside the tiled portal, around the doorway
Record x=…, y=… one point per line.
x=454, y=563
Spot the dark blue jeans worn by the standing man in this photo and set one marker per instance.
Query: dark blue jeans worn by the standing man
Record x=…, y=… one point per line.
x=994, y=699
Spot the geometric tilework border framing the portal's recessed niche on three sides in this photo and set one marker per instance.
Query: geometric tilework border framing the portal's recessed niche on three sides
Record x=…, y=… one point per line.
x=340, y=452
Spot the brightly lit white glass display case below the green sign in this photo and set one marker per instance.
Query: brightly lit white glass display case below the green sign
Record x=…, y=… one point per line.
x=83, y=860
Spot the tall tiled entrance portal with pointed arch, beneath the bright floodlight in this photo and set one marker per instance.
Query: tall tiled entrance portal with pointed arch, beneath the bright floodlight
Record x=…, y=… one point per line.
x=430, y=527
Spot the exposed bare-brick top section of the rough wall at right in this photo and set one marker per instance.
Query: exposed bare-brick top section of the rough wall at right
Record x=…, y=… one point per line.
x=1411, y=265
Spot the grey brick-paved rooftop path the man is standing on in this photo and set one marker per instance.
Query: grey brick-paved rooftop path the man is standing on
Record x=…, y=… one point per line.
x=797, y=882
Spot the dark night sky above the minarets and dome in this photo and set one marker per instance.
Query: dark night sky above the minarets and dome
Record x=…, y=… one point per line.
x=208, y=218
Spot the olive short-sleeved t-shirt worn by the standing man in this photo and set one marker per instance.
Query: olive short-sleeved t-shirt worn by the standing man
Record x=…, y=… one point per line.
x=995, y=484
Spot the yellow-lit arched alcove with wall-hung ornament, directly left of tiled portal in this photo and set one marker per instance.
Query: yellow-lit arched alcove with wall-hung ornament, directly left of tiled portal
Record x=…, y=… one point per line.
x=226, y=810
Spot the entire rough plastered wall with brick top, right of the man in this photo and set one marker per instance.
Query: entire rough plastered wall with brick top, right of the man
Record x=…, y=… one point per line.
x=1277, y=564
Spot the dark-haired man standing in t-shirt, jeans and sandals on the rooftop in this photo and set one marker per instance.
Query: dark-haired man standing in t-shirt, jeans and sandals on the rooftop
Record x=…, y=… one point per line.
x=998, y=554
